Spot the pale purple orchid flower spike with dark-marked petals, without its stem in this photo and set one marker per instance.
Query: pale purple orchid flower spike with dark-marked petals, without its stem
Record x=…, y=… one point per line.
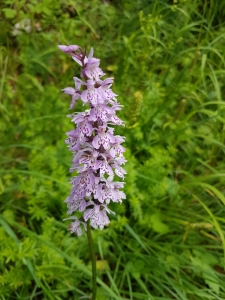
x=97, y=152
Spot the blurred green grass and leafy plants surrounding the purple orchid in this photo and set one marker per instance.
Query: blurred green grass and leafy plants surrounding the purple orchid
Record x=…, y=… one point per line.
x=167, y=239
